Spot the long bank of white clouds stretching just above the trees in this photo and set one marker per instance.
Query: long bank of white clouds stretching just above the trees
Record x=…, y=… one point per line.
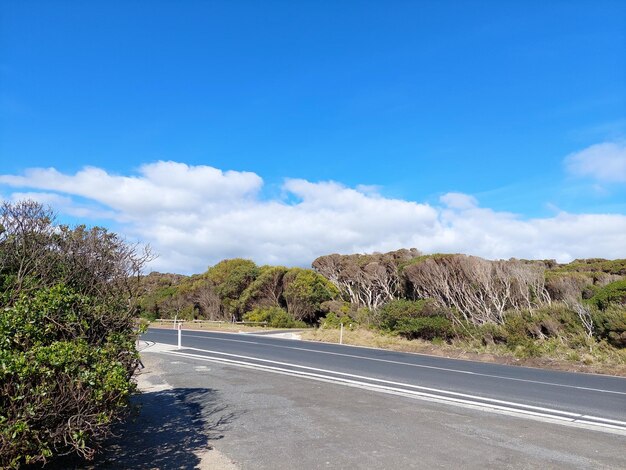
x=194, y=216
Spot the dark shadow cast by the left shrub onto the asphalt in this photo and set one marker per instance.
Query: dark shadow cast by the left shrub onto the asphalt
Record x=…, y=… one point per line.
x=165, y=431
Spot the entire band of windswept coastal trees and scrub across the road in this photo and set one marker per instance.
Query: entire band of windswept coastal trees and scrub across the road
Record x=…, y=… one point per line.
x=406, y=292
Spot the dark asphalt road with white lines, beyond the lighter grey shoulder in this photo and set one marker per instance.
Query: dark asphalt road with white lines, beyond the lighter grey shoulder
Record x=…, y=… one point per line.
x=587, y=400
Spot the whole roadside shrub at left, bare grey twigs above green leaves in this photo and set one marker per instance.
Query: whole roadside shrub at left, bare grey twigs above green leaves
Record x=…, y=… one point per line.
x=67, y=336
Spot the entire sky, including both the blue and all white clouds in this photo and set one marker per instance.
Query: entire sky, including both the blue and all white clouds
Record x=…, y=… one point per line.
x=280, y=131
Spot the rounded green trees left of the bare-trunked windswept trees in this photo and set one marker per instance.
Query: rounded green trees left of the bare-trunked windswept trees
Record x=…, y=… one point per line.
x=238, y=289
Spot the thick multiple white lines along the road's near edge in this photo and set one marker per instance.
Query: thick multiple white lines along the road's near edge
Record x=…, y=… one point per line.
x=542, y=414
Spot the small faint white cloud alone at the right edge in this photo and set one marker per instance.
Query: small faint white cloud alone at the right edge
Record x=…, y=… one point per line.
x=604, y=162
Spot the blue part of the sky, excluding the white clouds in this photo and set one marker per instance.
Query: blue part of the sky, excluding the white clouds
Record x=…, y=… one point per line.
x=419, y=99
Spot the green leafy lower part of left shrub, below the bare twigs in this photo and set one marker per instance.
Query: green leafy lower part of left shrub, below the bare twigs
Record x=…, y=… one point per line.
x=62, y=382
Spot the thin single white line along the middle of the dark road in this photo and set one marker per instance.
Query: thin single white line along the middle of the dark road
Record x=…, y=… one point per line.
x=416, y=365
